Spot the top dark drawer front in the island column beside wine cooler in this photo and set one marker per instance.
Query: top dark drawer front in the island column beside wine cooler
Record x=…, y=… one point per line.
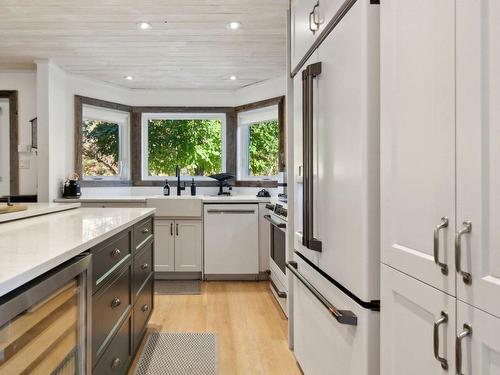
x=108, y=257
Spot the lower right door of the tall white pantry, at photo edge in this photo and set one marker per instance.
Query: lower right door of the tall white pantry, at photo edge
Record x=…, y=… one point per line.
x=478, y=341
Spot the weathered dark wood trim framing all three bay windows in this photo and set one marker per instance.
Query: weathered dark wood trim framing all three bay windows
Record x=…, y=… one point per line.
x=136, y=144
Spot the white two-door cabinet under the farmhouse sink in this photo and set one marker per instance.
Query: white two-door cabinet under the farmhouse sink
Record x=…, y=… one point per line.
x=178, y=245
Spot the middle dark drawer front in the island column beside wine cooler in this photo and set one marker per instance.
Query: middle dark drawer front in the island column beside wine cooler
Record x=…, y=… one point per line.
x=108, y=307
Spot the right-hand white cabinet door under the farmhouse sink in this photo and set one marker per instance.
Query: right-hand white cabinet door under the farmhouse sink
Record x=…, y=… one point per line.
x=188, y=246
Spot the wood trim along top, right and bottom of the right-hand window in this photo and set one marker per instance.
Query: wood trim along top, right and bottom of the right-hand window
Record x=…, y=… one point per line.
x=280, y=102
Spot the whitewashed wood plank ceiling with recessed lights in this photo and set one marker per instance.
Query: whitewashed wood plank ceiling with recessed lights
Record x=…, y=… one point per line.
x=188, y=46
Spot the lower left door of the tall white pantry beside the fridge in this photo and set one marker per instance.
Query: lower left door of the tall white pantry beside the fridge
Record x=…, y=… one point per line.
x=409, y=311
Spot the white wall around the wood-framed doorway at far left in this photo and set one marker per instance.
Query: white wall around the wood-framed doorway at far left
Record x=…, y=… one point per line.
x=25, y=83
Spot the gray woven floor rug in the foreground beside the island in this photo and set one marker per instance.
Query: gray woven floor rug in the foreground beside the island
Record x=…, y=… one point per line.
x=179, y=354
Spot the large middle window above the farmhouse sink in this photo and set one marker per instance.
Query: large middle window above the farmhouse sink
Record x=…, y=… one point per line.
x=193, y=141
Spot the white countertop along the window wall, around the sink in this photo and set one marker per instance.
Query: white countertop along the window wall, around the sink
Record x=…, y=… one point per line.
x=143, y=198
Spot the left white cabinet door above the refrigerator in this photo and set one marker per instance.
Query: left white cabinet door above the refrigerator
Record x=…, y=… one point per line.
x=301, y=36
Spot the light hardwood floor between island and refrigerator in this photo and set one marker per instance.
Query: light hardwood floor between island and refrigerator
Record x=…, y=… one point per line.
x=251, y=328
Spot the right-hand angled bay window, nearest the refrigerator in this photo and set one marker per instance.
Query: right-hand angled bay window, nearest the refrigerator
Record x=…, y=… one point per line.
x=258, y=143
